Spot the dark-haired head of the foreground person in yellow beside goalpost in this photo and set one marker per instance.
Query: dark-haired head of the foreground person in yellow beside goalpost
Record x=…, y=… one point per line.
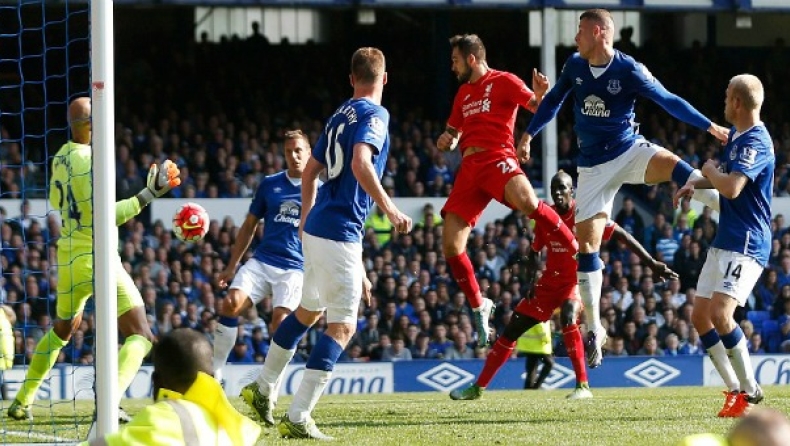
x=179, y=356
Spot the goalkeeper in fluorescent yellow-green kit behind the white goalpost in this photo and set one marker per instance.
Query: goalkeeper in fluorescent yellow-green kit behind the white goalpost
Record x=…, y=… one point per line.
x=71, y=193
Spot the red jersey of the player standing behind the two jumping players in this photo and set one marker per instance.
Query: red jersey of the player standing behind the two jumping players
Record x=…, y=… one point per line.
x=561, y=265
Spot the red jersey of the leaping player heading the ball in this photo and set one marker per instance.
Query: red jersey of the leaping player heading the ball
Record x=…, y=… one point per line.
x=485, y=111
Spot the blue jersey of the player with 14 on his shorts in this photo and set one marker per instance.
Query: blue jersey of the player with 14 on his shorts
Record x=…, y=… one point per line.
x=745, y=222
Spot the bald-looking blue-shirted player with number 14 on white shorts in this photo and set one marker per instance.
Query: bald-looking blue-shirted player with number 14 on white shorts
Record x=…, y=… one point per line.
x=742, y=245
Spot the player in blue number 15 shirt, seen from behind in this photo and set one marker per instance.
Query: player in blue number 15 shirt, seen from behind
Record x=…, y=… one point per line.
x=353, y=150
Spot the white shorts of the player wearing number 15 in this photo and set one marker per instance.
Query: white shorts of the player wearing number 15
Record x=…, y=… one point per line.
x=333, y=273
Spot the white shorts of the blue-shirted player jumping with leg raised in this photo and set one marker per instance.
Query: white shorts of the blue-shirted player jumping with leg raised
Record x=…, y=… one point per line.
x=599, y=184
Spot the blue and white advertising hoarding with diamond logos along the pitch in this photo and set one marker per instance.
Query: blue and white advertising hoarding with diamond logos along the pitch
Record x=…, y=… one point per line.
x=76, y=382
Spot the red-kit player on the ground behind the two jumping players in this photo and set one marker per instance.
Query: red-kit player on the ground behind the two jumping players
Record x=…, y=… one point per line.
x=555, y=289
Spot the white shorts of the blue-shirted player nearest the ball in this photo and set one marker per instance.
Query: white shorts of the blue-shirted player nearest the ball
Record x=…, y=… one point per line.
x=258, y=280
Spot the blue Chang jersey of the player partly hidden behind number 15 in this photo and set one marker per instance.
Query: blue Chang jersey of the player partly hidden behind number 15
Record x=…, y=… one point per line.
x=278, y=202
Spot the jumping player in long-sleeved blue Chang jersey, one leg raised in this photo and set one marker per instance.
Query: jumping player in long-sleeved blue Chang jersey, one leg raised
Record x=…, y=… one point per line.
x=605, y=84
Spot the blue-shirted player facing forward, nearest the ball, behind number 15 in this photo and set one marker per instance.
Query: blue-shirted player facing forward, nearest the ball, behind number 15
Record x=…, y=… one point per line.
x=275, y=268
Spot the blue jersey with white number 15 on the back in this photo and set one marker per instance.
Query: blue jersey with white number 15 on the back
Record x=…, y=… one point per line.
x=342, y=206
